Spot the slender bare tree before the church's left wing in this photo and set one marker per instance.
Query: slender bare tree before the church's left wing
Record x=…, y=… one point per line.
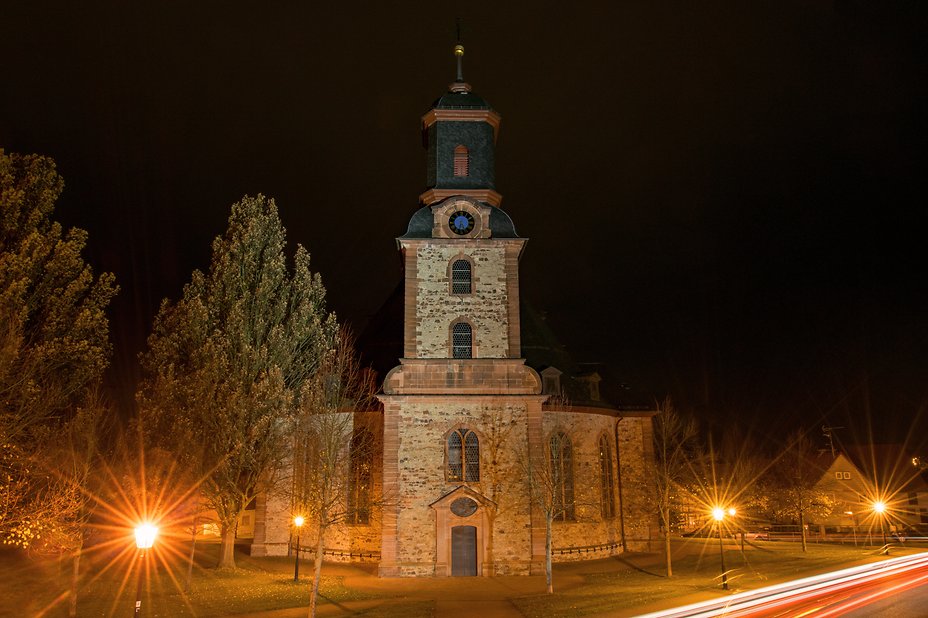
x=333, y=451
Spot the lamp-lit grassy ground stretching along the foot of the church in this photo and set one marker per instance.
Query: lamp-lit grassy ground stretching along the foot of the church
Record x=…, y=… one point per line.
x=618, y=586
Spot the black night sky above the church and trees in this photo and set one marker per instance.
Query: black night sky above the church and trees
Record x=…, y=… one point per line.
x=725, y=200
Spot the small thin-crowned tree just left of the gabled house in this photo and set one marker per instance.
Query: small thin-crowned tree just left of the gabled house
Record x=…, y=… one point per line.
x=792, y=485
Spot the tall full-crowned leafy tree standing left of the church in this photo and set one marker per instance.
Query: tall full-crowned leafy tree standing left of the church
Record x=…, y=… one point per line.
x=226, y=364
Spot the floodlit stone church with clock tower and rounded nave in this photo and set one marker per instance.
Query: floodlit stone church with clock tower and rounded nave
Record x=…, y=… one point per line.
x=488, y=433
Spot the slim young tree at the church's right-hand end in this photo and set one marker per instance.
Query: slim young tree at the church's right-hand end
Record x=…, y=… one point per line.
x=675, y=451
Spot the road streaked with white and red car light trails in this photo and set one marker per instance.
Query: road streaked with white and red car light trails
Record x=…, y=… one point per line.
x=896, y=587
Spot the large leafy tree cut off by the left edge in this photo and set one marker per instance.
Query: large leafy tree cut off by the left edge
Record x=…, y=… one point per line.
x=53, y=349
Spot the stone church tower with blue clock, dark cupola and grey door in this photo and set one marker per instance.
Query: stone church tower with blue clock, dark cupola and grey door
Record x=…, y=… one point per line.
x=461, y=363
